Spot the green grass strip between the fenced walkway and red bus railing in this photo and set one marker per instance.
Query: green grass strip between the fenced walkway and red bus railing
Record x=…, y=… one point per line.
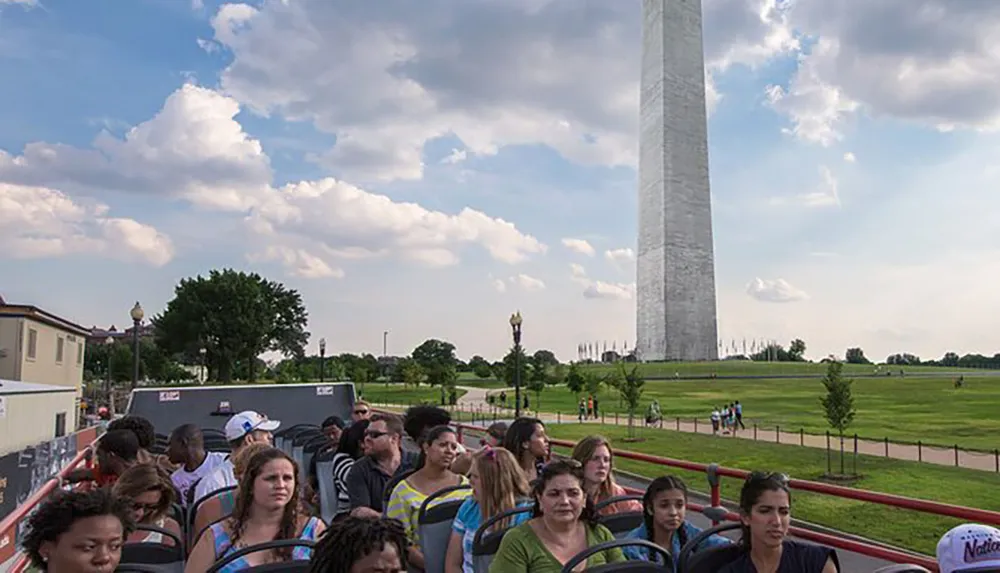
x=909, y=529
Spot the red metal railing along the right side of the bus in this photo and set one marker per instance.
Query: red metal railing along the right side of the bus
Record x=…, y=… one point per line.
x=851, y=545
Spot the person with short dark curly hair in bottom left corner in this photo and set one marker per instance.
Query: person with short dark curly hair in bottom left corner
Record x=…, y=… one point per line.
x=79, y=531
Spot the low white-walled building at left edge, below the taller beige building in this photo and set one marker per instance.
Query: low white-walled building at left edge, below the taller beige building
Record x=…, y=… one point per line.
x=34, y=413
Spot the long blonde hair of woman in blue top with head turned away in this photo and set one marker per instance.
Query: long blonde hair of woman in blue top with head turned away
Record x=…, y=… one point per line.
x=502, y=483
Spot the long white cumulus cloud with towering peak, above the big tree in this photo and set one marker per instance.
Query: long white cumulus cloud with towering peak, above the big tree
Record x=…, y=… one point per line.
x=195, y=150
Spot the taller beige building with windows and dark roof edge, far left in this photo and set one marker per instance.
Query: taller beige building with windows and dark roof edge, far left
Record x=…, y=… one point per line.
x=41, y=348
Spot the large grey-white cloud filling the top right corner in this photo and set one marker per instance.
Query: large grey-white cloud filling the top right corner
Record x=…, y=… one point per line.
x=931, y=62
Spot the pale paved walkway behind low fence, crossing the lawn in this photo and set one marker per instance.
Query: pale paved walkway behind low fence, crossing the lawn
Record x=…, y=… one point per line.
x=475, y=401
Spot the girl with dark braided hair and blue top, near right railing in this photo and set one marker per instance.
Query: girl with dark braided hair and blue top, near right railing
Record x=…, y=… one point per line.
x=664, y=511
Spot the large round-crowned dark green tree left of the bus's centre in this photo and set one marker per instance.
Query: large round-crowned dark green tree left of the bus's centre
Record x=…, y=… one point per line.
x=236, y=317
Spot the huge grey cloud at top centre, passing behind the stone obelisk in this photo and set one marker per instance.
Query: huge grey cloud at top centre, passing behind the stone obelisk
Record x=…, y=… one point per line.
x=387, y=77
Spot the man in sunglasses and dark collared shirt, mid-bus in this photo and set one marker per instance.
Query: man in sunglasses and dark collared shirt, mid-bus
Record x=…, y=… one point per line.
x=384, y=460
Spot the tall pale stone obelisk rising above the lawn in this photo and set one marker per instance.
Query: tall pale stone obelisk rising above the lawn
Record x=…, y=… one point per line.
x=676, y=316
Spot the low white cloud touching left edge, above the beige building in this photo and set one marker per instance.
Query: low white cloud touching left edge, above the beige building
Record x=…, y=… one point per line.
x=37, y=222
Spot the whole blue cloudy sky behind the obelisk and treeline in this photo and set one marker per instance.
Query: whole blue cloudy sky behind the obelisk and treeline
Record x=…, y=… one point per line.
x=427, y=168
